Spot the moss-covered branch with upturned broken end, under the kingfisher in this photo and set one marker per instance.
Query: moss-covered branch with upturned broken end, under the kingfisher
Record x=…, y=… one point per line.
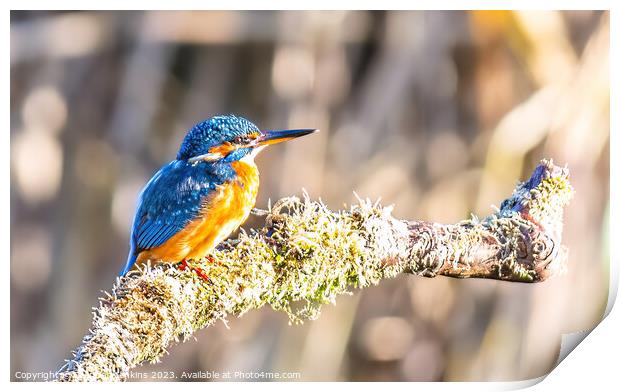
x=306, y=255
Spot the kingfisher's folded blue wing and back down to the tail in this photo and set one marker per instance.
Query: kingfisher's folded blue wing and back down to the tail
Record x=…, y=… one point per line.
x=168, y=202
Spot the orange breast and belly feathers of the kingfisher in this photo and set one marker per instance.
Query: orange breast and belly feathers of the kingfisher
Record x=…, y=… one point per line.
x=222, y=213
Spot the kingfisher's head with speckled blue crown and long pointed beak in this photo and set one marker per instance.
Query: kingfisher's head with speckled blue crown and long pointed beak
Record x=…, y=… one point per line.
x=230, y=138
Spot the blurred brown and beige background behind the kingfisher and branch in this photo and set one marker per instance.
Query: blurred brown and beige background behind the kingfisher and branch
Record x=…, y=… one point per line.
x=439, y=113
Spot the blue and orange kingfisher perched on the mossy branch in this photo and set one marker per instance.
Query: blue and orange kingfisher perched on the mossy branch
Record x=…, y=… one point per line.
x=196, y=201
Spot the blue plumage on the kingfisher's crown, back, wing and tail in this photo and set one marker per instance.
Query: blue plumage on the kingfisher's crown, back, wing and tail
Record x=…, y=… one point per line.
x=173, y=197
